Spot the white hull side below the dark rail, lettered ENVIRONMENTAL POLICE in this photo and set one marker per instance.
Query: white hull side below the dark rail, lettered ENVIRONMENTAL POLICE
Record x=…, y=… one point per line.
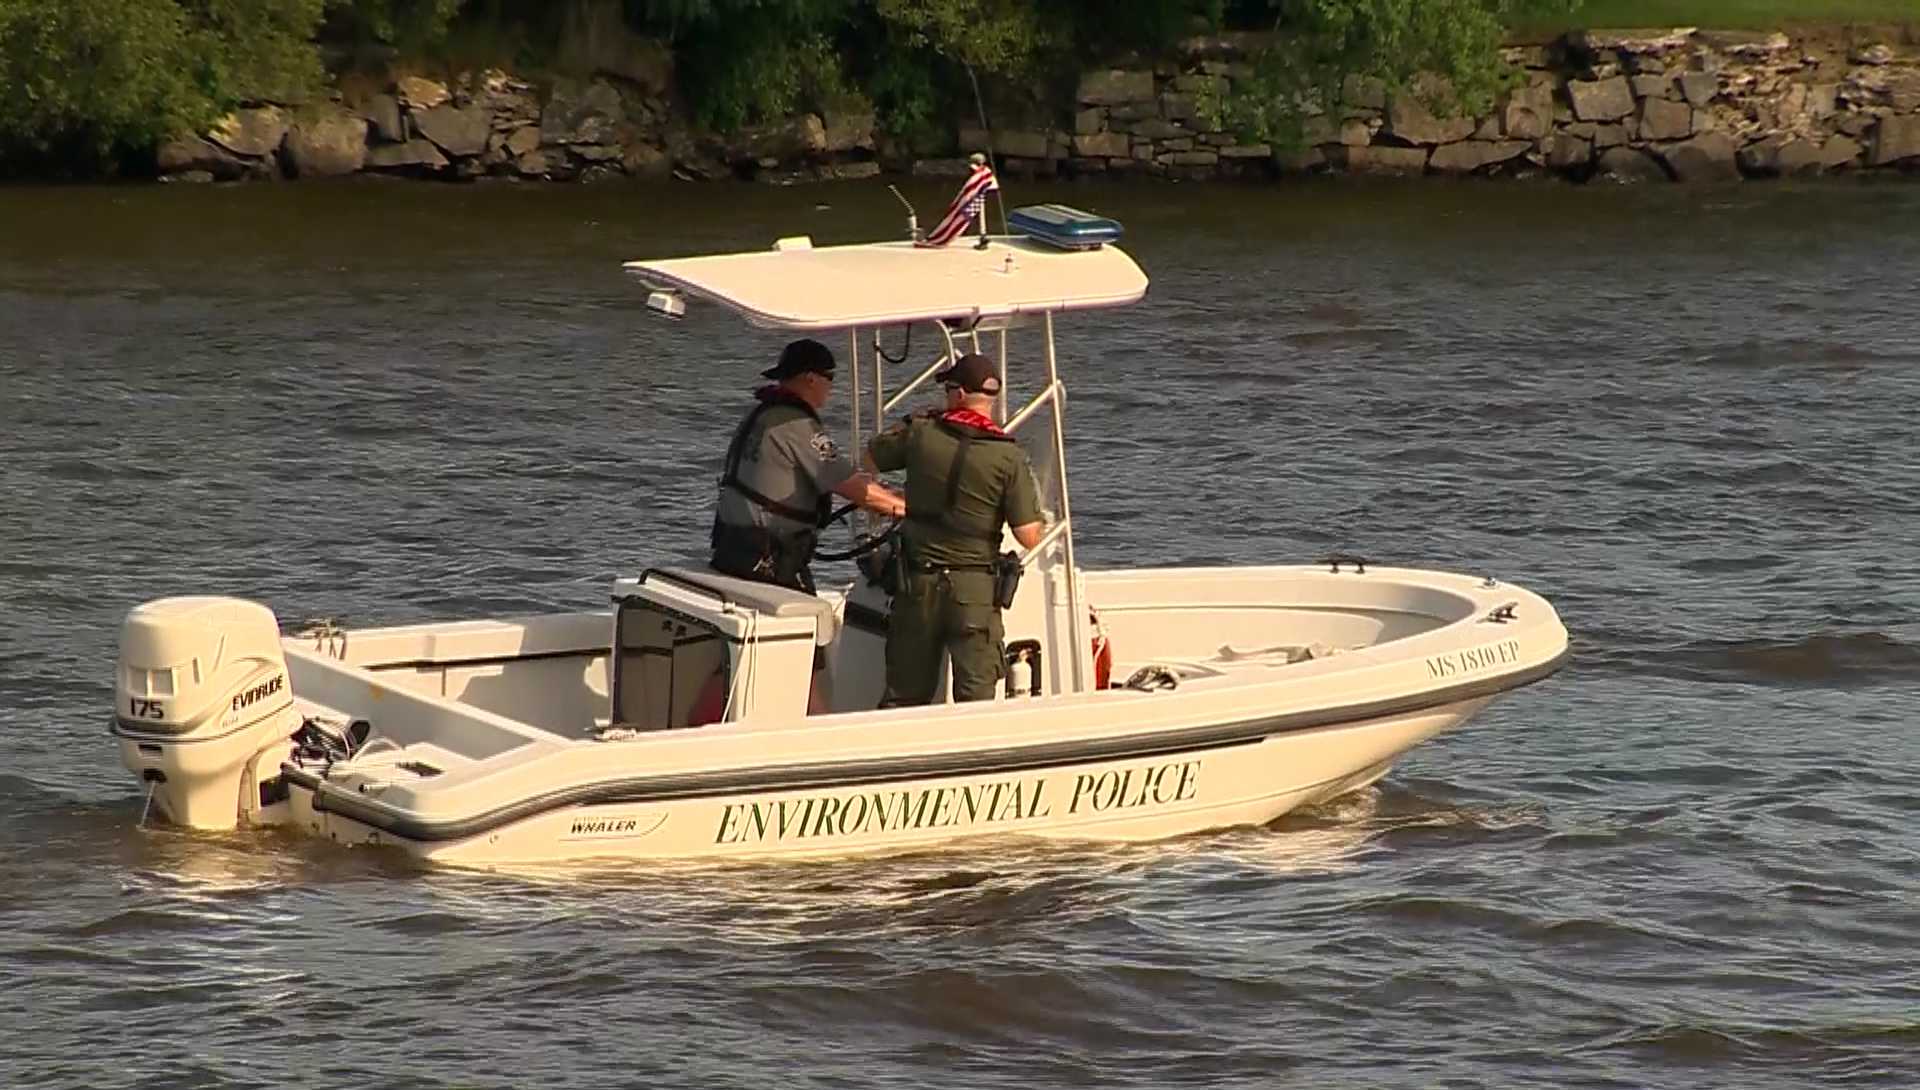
x=1134, y=799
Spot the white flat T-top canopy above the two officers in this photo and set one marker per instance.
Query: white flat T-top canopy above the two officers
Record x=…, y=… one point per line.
x=890, y=283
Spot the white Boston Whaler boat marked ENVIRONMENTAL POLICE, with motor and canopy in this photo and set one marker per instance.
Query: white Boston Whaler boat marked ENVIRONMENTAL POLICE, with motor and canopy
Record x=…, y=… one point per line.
x=675, y=724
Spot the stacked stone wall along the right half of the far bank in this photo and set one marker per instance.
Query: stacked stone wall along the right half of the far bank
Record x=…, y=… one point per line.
x=1623, y=105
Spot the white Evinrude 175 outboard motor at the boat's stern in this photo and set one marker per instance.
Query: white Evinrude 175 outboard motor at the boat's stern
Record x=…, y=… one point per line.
x=204, y=707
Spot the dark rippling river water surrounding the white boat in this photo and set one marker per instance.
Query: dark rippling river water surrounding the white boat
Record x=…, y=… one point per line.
x=1689, y=861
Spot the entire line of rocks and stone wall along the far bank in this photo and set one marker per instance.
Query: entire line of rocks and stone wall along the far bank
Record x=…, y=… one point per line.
x=1673, y=105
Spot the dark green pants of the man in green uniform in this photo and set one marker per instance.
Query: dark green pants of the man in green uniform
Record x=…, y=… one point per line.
x=934, y=613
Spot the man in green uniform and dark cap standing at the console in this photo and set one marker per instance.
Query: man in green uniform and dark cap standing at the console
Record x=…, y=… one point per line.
x=965, y=481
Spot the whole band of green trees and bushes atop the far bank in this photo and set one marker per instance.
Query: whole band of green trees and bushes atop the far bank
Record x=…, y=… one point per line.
x=93, y=80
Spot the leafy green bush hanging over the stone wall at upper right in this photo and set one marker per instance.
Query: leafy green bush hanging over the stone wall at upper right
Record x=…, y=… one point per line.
x=1324, y=45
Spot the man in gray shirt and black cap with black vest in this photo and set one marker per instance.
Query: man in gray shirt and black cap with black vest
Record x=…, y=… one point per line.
x=782, y=471
